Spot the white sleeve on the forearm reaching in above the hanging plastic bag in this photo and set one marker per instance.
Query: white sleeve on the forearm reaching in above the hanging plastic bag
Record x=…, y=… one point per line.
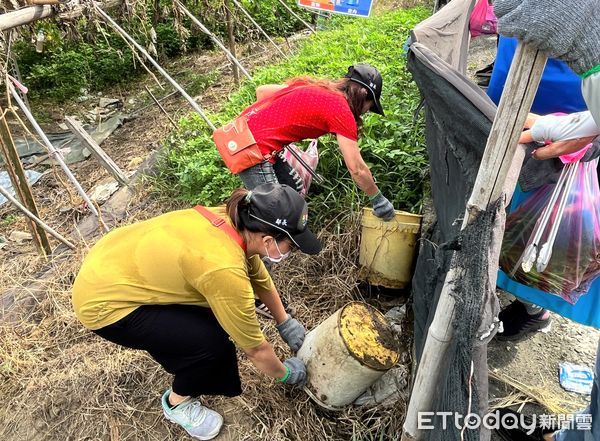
x=564, y=127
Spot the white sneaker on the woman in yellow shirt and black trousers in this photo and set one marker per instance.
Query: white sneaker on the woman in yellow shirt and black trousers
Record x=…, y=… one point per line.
x=199, y=421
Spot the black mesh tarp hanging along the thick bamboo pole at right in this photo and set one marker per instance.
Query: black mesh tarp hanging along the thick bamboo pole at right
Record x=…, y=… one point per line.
x=458, y=119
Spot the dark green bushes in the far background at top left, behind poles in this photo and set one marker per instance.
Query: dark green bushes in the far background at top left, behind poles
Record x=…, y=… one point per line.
x=90, y=56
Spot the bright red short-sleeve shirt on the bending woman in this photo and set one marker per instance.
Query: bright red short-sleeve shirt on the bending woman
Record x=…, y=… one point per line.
x=306, y=112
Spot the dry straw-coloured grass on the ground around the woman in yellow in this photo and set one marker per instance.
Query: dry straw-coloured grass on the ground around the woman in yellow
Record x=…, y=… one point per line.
x=59, y=381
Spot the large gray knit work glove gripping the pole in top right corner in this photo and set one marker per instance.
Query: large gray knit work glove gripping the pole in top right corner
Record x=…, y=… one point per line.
x=564, y=29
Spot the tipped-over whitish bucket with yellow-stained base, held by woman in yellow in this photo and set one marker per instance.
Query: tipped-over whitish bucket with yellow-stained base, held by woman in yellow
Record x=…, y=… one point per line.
x=347, y=353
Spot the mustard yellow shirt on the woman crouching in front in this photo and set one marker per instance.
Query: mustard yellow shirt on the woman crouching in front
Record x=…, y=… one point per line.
x=175, y=258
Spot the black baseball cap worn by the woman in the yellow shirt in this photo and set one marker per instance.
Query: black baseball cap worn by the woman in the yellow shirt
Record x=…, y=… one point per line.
x=282, y=208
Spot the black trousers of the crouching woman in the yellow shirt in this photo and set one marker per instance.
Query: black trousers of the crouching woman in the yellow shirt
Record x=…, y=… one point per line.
x=187, y=341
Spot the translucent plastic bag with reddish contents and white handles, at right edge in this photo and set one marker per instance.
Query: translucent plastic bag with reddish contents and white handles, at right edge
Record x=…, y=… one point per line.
x=575, y=260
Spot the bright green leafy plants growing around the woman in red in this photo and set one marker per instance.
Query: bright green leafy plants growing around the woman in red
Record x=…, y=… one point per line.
x=393, y=145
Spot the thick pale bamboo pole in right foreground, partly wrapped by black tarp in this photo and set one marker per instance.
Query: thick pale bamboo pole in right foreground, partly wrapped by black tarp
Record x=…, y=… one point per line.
x=521, y=86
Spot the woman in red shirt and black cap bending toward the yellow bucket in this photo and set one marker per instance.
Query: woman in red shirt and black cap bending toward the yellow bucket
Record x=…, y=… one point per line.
x=308, y=108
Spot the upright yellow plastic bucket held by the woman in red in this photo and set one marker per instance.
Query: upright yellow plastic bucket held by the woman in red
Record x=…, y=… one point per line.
x=387, y=249
